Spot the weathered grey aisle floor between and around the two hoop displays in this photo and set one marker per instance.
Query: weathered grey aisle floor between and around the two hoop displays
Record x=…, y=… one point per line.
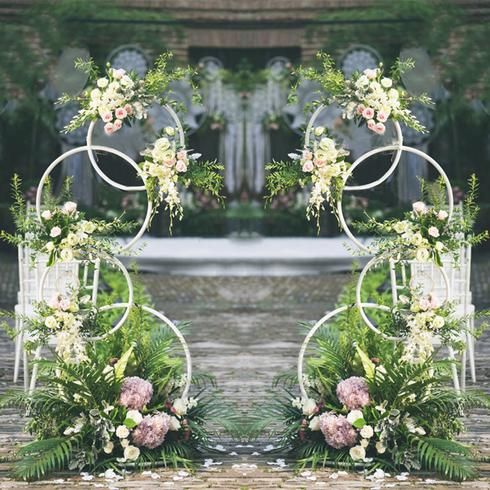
x=244, y=332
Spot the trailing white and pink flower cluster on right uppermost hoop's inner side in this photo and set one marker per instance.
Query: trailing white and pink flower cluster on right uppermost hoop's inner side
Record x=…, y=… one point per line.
x=326, y=164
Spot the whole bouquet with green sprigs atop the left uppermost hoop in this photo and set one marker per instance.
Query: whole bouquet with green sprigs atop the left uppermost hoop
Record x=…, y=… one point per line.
x=118, y=97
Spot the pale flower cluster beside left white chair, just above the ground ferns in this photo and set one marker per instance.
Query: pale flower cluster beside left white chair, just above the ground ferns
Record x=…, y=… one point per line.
x=68, y=317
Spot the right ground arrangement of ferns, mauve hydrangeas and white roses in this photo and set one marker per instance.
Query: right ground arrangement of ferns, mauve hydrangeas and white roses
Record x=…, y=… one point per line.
x=374, y=409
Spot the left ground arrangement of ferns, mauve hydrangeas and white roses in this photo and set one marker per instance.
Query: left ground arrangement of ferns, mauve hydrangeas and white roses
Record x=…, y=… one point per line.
x=120, y=407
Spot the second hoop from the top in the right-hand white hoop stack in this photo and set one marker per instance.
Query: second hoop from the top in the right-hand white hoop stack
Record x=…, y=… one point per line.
x=416, y=151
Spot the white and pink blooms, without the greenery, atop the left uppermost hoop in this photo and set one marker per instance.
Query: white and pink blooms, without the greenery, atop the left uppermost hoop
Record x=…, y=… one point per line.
x=115, y=99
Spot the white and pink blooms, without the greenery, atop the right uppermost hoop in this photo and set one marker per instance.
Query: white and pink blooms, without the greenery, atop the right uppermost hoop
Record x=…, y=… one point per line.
x=374, y=100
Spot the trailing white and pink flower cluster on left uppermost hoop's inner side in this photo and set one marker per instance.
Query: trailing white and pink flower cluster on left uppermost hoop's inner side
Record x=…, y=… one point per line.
x=163, y=162
